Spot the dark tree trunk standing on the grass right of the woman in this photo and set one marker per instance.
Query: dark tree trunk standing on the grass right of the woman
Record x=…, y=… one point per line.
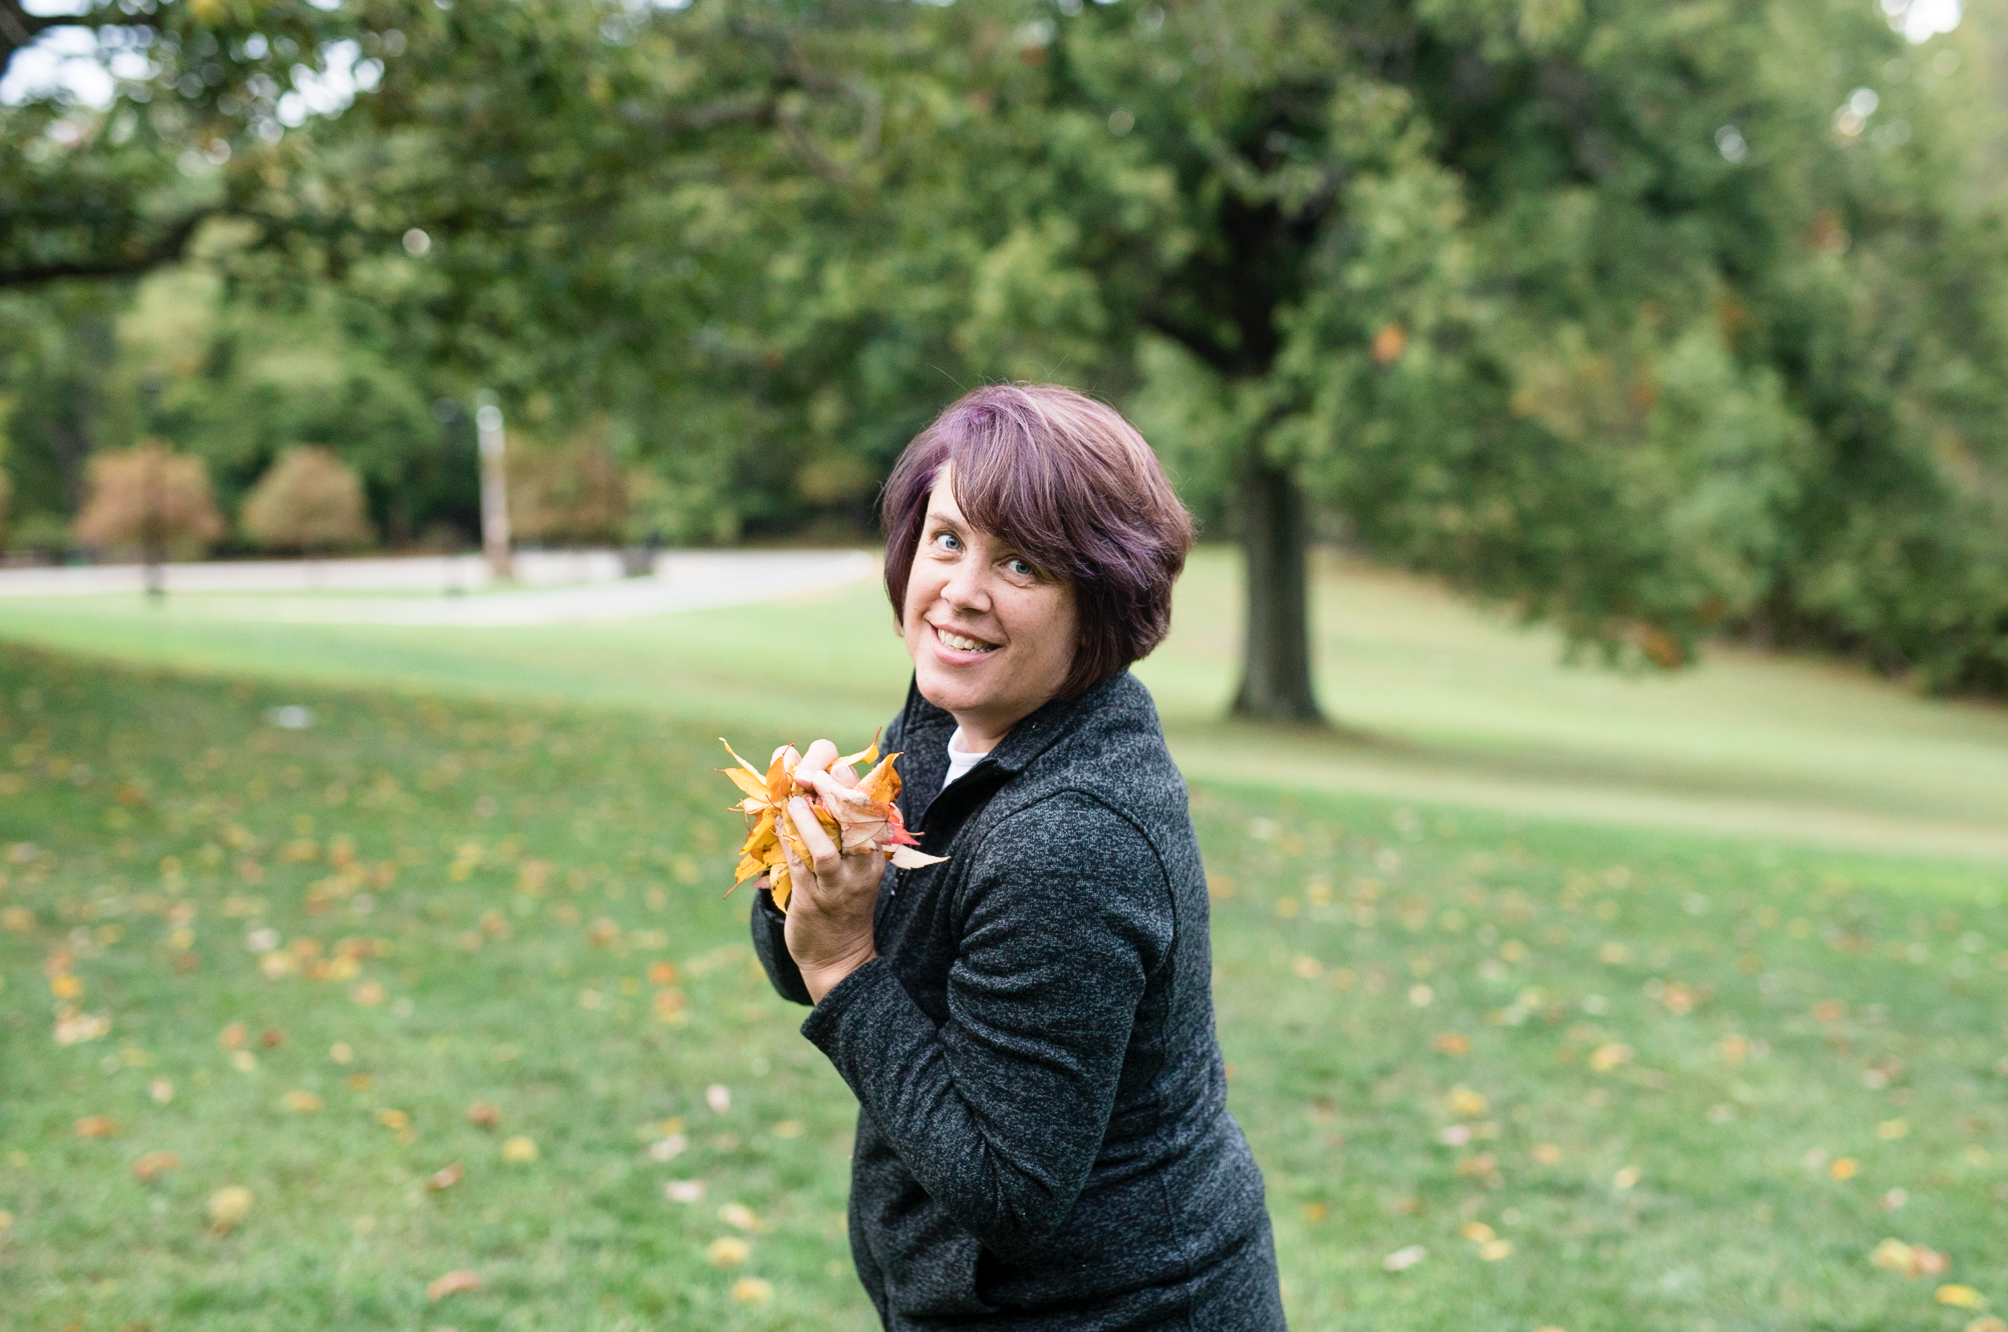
x=1276, y=666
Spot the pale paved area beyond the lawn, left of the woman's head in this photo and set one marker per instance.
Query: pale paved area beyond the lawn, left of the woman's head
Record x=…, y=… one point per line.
x=557, y=586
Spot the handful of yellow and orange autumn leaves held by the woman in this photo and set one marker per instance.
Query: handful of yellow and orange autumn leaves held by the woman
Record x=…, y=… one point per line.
x=858, y=815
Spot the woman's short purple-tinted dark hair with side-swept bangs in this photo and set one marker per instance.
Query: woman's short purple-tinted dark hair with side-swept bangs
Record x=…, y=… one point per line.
x=1075, y=489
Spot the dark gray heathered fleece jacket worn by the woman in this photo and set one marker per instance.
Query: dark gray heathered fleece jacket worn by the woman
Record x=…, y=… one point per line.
x=1043, y=1132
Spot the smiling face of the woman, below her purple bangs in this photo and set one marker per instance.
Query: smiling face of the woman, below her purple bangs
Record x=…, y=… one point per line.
x=991, y=636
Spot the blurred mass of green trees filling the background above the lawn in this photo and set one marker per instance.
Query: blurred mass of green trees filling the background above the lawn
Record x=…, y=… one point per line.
x=1644, y=318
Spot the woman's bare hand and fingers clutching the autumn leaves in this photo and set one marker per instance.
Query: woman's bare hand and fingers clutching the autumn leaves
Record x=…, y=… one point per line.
x=830, y=909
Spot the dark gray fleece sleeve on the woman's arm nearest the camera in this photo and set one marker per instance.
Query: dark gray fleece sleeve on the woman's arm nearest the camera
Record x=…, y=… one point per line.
x=1001, y=1110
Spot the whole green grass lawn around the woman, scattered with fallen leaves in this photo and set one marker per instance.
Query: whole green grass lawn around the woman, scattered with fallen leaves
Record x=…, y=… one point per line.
x=1605, y=1076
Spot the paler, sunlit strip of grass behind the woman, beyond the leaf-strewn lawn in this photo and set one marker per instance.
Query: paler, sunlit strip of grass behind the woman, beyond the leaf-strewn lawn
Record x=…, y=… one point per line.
x=1439, y=704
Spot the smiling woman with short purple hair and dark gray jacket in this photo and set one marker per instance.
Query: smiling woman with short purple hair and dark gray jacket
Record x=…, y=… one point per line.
x=1043, y=1132
